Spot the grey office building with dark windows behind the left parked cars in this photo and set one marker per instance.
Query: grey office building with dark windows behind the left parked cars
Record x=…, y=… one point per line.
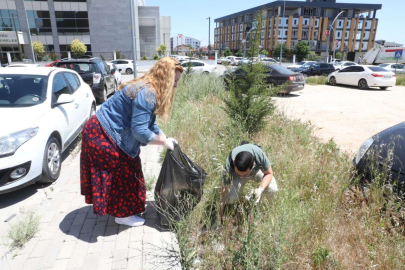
x=104, y=26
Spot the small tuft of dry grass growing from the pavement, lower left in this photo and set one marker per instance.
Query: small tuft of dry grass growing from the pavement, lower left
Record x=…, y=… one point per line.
x=23, y=230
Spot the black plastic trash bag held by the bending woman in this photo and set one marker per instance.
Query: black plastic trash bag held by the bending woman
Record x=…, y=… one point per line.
x=179, y=187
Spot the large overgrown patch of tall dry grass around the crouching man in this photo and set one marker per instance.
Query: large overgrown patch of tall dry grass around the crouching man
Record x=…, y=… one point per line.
x=315, y=221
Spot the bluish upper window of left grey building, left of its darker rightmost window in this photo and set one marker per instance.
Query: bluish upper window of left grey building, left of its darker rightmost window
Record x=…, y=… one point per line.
x=39, y=22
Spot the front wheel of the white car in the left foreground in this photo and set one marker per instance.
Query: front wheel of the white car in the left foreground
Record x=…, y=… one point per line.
x=51, y=166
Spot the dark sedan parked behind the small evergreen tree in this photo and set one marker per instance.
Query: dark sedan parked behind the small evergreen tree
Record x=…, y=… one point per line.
x=276, y=76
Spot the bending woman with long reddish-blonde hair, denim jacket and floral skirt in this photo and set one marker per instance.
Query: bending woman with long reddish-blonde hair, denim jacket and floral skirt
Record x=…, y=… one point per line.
x=110, y=168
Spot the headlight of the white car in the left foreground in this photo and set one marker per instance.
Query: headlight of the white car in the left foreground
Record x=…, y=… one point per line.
x=10, y=143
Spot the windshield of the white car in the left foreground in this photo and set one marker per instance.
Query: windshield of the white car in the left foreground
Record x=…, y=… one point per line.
x=22, y=90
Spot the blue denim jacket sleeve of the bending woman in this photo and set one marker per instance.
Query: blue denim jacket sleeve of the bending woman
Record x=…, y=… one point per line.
x=143, y=107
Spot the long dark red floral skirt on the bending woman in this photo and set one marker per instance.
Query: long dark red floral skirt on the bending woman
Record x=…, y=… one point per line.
x=109, y=179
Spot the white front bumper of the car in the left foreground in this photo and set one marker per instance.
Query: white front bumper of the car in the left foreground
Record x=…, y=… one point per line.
x=29, y=156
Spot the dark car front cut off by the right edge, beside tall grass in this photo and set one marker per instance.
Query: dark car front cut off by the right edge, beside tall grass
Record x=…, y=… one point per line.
x=383, y=154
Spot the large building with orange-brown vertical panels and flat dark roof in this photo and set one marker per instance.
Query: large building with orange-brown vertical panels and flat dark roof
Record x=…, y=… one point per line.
x=292, y=21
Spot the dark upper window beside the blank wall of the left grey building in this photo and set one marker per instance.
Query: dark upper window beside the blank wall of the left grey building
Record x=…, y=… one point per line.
x=72, y=22
